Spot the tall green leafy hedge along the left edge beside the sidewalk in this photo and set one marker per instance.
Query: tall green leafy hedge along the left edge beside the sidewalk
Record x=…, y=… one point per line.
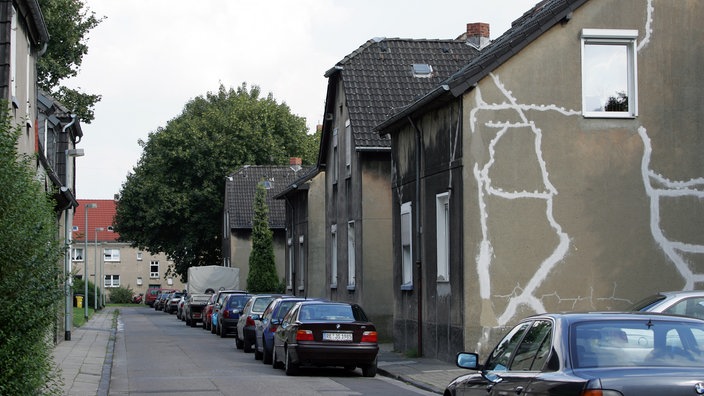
x=29, y=275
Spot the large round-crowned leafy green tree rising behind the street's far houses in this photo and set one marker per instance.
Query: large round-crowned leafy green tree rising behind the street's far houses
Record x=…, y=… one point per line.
x=172, y=202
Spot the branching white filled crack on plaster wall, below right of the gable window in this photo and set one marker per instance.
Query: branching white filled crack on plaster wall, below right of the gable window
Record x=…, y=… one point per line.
x=669, y=188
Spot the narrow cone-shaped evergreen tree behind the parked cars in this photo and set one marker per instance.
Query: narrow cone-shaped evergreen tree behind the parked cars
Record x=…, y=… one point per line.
x=262, y=266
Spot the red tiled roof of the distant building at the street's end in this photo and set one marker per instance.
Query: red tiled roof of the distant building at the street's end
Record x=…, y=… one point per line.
x=98, y=217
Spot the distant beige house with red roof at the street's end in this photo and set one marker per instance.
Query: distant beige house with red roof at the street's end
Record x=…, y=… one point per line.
x=98, y=249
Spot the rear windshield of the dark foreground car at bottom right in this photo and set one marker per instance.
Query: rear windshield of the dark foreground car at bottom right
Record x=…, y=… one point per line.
x=637, y=343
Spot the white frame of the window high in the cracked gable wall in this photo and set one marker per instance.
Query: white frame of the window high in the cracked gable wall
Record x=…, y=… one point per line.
x=611, y=37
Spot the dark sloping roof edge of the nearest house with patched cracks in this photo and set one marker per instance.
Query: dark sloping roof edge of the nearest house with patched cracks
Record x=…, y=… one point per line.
x=523, y=31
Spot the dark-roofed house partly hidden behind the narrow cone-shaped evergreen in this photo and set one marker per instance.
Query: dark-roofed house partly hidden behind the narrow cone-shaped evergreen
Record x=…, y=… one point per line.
x=238, y=214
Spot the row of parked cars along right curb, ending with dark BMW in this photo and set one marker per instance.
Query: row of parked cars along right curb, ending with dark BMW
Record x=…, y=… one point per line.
x=285, y=331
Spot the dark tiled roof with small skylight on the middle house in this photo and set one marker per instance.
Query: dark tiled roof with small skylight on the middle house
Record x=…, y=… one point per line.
x=378, y=79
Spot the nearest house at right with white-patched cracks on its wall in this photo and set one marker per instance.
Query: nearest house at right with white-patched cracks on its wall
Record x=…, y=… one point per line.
x=559, y=170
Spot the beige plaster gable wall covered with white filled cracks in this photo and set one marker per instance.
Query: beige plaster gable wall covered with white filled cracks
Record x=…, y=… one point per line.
x=564, y=212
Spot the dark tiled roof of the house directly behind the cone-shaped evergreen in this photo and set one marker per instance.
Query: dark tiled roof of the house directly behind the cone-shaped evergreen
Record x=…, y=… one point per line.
x=241, y=186
